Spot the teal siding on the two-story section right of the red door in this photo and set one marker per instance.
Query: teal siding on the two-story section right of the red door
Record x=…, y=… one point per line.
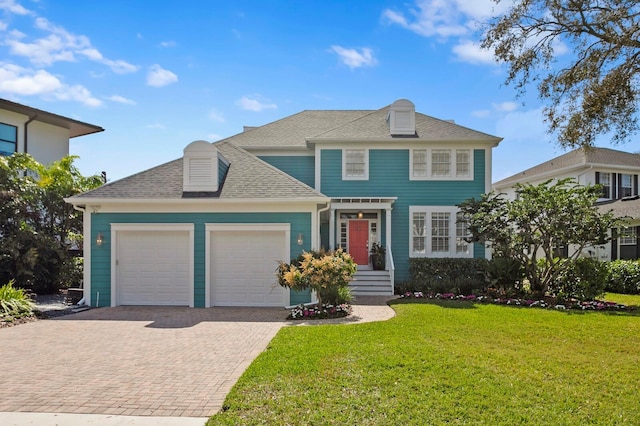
x=389, y=177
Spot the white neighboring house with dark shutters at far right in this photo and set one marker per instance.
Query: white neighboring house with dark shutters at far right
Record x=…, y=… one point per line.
x=616, y=171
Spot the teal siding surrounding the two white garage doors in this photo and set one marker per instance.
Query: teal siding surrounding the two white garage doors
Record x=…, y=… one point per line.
x=101, y=256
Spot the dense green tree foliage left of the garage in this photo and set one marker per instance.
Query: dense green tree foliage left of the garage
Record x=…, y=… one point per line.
x=37, y=228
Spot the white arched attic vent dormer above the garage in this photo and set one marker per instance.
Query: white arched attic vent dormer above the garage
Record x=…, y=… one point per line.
x=200, y=167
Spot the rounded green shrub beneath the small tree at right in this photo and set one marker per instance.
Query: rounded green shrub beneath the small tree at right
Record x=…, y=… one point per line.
x=582, y=279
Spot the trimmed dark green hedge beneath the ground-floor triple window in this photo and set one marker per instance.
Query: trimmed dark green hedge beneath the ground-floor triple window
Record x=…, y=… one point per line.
x=447, y=275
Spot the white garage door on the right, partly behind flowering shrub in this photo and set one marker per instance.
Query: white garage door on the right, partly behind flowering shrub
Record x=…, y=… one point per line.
x=243, y=265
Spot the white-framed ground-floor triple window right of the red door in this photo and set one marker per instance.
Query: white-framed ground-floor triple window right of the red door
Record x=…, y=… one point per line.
x=438, y=231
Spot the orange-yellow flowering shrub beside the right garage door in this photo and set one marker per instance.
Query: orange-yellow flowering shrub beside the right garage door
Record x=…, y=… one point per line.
x=327, y=273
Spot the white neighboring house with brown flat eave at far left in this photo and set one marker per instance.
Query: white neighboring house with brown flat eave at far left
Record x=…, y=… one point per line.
x=43, y=135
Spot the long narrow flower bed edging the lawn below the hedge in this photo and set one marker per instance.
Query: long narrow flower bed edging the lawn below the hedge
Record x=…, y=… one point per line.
x=594, y=305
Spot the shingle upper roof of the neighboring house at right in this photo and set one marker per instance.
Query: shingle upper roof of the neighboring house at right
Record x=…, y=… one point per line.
x=577, y=157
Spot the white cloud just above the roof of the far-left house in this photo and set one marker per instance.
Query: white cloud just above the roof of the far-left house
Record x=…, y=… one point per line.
x=16, y=80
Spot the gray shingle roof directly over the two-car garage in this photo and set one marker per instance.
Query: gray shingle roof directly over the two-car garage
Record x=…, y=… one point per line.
x=248, y=177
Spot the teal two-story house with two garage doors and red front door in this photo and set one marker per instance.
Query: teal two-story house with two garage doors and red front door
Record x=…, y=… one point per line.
x=208, y=229
